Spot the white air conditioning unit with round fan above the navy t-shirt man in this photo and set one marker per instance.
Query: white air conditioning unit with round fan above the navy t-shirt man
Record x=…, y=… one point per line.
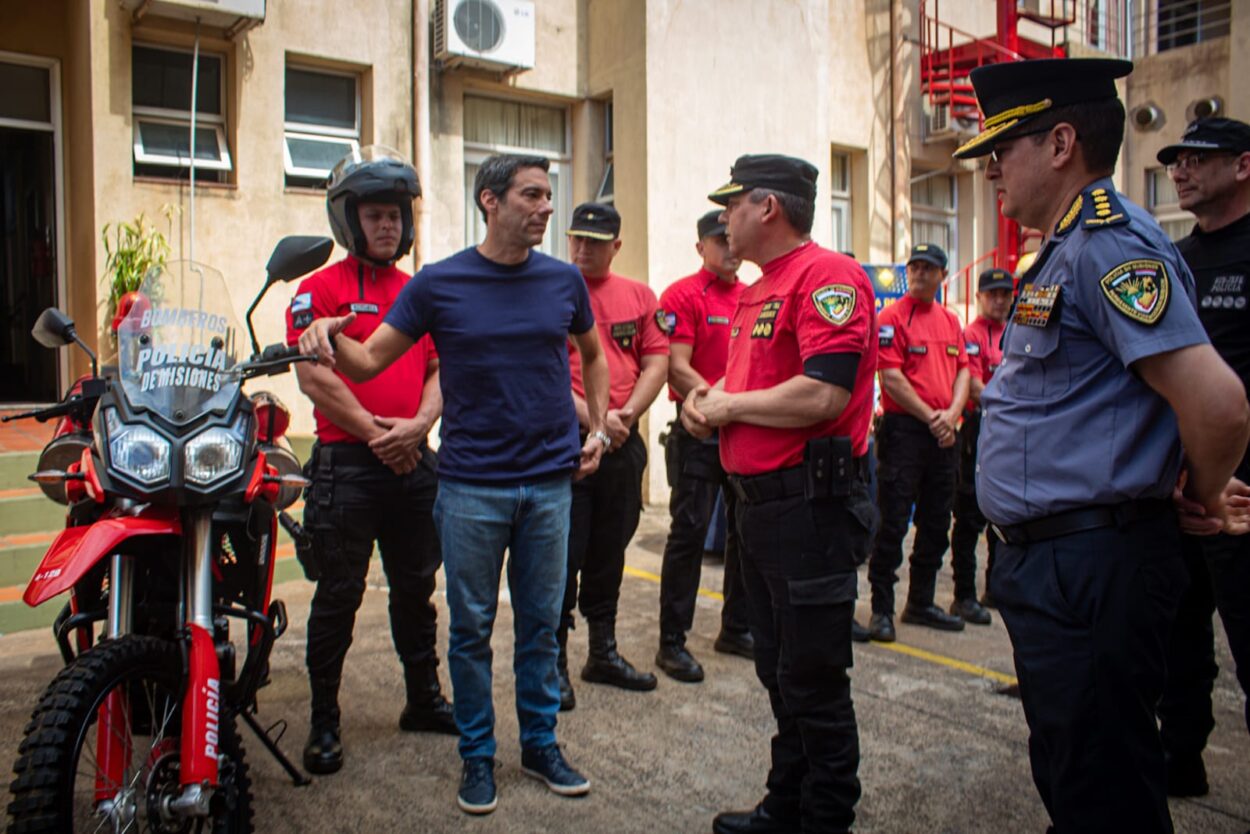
x=484, y=34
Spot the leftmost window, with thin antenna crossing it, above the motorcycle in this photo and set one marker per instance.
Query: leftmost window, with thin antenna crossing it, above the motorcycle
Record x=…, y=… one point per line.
x=161, y=87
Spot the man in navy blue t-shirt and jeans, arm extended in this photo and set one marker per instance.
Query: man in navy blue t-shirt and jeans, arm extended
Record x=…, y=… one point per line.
x=502, y=317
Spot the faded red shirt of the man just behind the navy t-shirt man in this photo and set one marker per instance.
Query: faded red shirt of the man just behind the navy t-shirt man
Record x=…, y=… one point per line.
x=627, y=317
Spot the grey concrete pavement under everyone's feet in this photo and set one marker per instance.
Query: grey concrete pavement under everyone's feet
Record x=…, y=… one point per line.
x=942, y=750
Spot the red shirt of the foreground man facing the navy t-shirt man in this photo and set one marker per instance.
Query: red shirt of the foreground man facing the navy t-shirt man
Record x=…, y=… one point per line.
x=809, y=303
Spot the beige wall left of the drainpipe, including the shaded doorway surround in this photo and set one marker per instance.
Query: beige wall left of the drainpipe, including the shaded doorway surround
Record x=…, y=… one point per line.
x=238, y=222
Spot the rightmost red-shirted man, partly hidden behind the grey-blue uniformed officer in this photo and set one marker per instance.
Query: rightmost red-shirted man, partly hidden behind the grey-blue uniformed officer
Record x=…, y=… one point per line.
x=983, y=339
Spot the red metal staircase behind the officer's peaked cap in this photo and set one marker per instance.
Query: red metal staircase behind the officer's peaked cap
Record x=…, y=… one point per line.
x=948, y=56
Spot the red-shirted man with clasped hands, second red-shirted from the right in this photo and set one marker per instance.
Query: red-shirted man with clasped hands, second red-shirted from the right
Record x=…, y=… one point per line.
x=924, y=386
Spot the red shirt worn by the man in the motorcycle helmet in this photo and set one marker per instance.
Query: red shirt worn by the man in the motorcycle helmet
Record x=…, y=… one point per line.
x=354, y=287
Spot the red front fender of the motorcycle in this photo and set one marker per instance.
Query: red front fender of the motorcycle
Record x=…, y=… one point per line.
x=76, y=551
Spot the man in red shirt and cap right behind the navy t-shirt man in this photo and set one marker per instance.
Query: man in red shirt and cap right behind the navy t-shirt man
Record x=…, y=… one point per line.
x=607, y=506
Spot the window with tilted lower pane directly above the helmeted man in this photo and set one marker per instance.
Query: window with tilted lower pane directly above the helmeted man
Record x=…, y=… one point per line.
x=322, y=123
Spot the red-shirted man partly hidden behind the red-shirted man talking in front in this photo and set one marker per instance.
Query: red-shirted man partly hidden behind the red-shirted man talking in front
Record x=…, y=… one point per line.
x=698, y=311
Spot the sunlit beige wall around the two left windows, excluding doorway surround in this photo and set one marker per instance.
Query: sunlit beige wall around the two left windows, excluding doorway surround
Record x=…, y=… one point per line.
x=238, y=223
